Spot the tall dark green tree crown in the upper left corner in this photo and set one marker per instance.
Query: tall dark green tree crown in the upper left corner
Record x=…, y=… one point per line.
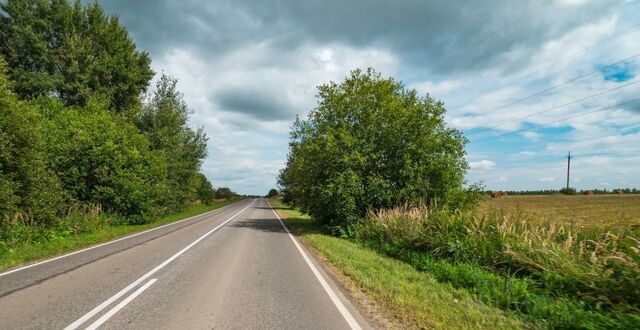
x=73, y=52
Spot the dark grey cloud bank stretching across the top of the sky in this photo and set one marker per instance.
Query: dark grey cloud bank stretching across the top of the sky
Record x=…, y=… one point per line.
x=434, y=36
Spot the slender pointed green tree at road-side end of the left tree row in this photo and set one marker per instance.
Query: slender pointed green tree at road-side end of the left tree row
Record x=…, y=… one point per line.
x=164, y=120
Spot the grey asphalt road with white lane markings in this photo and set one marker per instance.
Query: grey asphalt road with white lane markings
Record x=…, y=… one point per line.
x=232, y=268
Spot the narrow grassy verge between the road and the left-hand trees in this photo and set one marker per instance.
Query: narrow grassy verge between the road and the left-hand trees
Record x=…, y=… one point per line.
x=60, y=244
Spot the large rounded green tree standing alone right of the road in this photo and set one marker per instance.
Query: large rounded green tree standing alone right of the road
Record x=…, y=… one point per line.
x=369, y=144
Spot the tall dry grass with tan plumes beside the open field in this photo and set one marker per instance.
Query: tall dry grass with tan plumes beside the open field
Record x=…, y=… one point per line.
x=597, y=266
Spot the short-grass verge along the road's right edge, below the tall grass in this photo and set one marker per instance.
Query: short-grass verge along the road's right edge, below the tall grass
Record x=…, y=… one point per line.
x=405, y=293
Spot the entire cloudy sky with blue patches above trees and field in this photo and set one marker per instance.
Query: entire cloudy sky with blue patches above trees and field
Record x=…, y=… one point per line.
x=526, y=80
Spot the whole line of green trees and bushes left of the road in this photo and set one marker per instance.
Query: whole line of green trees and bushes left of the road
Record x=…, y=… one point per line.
x=77, y=125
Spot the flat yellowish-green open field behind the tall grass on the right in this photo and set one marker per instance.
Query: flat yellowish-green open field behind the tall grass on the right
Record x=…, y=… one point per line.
x=581, y=210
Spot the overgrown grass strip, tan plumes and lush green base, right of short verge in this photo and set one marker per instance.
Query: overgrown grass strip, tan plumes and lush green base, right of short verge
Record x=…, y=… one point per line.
x=550, y=275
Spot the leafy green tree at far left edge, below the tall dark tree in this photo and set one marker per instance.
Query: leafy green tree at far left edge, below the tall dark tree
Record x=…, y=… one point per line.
x=26, y=185
